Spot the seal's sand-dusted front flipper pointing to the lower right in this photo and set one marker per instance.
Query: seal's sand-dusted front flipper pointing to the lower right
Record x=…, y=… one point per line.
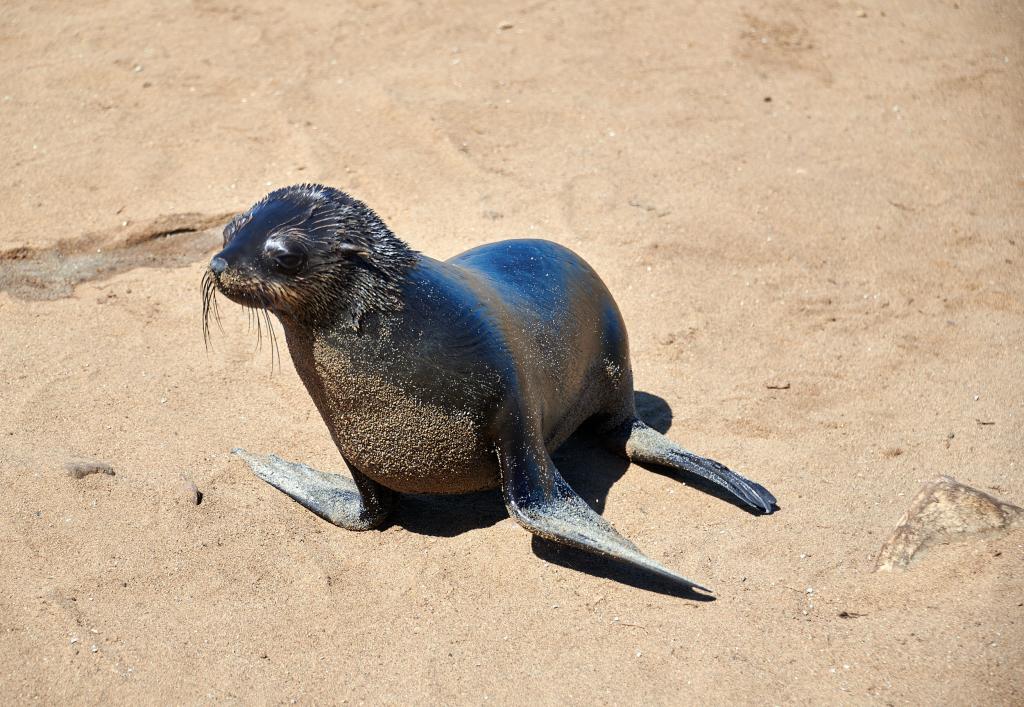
x=540, y=501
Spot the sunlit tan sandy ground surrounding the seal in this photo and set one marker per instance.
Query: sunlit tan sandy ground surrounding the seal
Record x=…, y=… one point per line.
x=828, y=196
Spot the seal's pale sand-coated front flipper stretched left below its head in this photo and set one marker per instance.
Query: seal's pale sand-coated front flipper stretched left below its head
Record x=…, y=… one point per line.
x=357, y=504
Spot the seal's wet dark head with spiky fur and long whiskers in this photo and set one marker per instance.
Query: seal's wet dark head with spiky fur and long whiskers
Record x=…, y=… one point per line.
x=309, y=254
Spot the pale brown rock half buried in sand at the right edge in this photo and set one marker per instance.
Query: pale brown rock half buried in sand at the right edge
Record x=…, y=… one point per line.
x=945, y=510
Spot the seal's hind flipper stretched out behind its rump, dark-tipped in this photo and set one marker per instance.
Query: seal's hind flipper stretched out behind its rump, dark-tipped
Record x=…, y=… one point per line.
x=648, y=446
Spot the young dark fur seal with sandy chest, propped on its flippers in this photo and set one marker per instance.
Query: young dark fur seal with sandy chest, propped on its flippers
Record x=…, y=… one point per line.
x=445, y=378
